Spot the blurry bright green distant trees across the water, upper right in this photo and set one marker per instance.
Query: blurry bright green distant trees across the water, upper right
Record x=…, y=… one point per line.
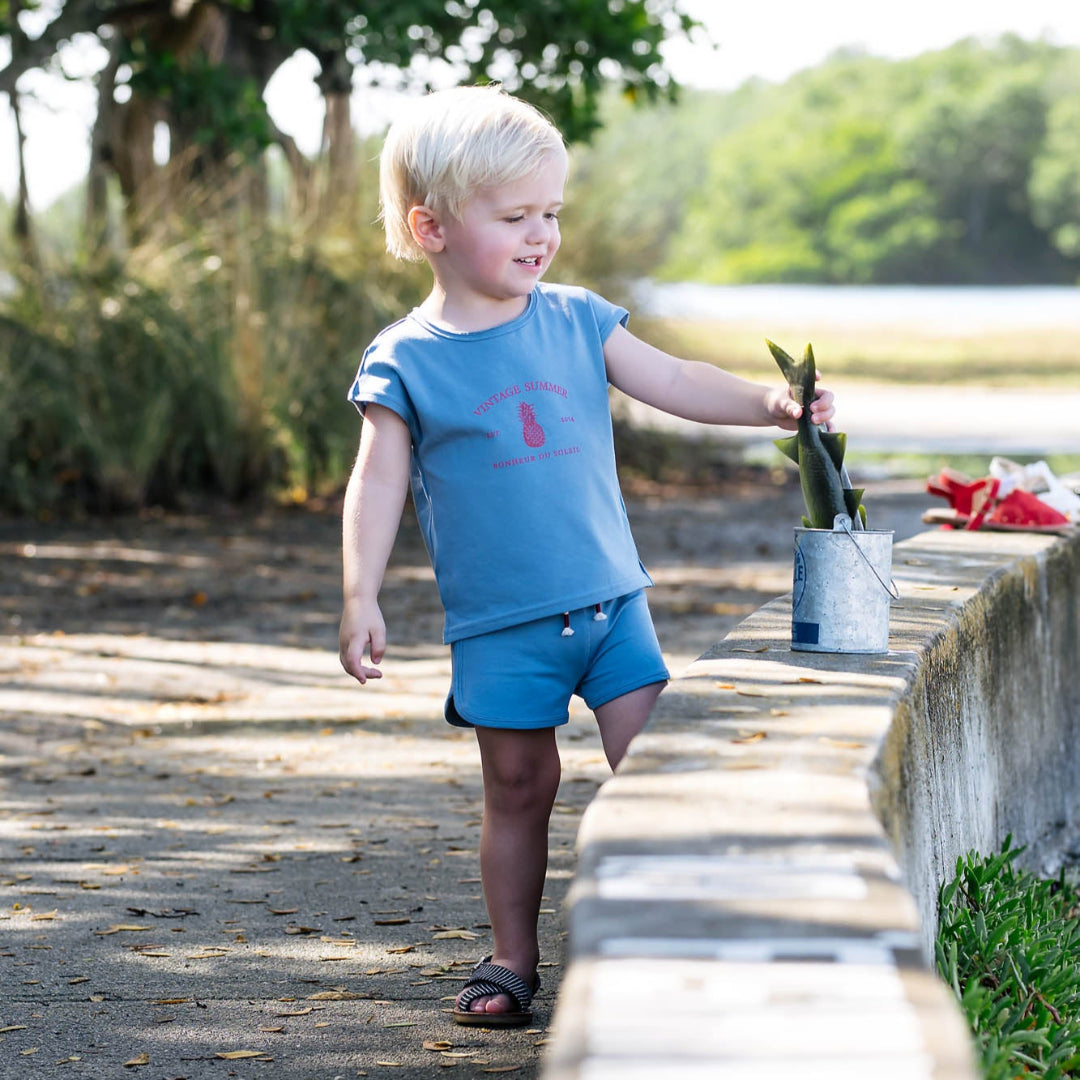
x=961, y=166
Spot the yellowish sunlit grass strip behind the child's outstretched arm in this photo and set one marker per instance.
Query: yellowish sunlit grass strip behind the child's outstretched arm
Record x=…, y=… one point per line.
x=1030, y=359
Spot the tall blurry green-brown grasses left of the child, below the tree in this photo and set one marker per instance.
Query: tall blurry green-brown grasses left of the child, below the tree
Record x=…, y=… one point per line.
x=186, y=372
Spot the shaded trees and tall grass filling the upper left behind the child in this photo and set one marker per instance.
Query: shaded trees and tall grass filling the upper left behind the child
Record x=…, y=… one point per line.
x=195, y=329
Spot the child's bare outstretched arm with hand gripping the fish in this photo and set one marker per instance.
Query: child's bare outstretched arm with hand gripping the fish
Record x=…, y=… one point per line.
x=698, y=391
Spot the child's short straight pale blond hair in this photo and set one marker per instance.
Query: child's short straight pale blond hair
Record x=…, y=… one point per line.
x=451, y=143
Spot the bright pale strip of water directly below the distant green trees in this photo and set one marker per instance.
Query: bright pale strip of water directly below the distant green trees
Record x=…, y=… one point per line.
x=956, y=309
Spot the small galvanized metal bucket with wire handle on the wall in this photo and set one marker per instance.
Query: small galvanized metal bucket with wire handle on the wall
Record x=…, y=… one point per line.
x=842, y=589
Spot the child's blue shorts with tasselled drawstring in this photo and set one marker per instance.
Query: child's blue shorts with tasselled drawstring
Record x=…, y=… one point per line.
x=524, y=677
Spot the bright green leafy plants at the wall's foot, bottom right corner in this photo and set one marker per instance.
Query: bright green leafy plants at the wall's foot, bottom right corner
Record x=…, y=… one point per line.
x=1007, y=946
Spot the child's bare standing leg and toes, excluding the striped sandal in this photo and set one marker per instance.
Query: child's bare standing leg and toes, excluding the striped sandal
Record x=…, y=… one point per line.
x=522, y=772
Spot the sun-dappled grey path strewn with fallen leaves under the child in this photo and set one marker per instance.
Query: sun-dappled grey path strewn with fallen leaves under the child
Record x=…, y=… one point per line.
x=214, y=843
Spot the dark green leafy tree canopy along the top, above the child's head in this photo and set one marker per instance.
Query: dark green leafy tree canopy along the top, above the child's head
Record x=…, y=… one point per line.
x=558, y=53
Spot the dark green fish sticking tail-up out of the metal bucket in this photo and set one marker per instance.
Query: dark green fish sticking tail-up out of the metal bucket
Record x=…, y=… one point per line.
x=819, y=454
